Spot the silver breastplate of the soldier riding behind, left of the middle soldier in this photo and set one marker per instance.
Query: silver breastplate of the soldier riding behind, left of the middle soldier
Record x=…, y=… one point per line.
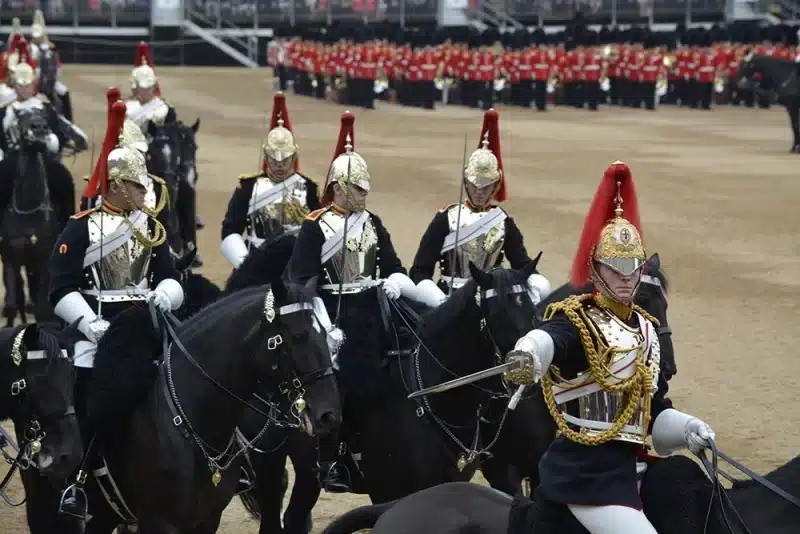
x=284, y=214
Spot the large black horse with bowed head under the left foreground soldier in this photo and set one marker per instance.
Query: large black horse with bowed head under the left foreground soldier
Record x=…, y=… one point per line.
x=176, y=457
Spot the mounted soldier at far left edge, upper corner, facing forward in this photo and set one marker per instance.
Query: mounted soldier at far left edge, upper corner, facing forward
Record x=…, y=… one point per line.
x=22, y=72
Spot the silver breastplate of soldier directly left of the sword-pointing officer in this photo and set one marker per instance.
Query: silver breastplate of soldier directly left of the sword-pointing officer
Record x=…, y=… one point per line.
x=484, y=250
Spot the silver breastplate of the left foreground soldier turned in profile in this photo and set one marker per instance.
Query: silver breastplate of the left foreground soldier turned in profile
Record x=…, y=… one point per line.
x=127, y=265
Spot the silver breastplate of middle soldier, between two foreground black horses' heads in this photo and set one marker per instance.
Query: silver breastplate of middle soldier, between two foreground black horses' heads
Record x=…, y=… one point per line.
x=361, y=255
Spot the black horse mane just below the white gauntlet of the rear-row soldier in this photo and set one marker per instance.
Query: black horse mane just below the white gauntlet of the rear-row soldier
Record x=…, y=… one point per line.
x=262, y=264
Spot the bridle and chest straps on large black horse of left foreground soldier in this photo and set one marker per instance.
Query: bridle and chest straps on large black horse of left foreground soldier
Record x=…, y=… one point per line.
x=293, y=388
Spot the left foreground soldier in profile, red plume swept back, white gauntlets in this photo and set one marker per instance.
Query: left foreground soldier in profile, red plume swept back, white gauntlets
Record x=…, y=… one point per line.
x=106, y=260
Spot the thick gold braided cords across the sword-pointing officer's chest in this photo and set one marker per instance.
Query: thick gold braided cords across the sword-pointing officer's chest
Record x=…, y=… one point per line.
x=635, y=389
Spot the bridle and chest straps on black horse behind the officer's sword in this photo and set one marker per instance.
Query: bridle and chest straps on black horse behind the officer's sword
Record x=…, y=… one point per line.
x=468, y=453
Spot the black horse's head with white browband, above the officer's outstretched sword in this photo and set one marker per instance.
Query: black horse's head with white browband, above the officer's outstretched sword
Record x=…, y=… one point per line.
x=506, y=302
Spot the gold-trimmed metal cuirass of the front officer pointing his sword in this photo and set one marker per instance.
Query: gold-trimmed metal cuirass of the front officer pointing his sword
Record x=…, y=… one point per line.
x=597, y=409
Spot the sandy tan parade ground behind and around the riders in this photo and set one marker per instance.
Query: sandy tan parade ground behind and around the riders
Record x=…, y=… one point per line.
x=718, y=195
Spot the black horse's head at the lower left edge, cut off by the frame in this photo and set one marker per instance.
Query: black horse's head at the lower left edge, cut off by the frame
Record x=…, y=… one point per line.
x=37, y=393
